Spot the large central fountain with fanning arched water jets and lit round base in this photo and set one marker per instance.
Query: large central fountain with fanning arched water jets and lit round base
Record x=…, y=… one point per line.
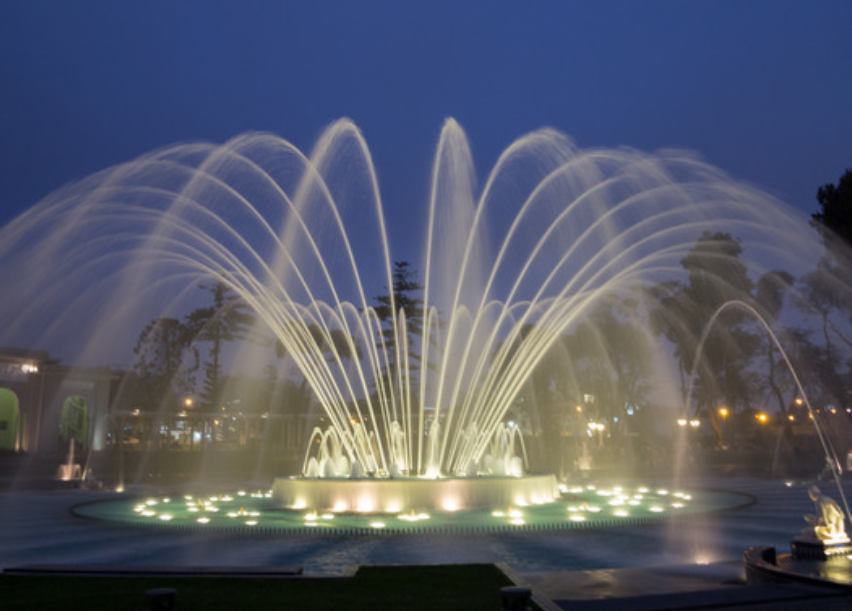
x=417, y=399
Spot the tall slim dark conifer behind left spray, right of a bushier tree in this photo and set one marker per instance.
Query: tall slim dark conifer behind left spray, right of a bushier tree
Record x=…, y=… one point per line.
x=228, y=319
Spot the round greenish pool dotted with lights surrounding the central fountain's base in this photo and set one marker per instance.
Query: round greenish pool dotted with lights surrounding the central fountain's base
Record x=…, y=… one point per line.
x=245, y=511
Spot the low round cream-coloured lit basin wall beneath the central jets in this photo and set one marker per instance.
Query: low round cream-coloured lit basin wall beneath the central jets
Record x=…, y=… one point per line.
x=395, y=495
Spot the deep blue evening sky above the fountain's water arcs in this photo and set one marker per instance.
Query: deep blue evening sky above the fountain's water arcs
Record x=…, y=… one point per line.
x=760, y=88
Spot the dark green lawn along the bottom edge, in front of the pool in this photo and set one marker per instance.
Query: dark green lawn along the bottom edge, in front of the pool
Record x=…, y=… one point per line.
x=409, y=588
